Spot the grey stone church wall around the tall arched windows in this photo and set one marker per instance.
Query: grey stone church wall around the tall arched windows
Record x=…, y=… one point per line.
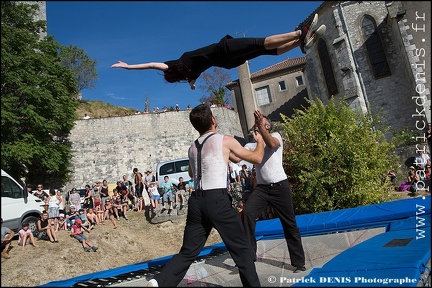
x=389, y=97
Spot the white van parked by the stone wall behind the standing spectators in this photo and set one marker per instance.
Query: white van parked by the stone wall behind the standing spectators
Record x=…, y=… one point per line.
x=174, y=169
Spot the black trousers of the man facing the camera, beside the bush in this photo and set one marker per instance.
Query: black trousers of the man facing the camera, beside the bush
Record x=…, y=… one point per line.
x=277, y=195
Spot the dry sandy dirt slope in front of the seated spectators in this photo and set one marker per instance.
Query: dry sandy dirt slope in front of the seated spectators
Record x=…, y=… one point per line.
x=134, y=241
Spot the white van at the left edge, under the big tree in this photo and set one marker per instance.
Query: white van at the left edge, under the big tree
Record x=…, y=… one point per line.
x=17, y=205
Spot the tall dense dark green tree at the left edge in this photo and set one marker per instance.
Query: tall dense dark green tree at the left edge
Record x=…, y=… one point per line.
x=36, y=104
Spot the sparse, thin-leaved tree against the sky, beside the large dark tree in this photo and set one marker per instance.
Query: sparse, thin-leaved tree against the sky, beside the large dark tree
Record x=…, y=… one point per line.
x=84, y=68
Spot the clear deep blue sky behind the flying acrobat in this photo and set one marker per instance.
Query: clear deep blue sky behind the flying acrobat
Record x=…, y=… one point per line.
x=146, y=31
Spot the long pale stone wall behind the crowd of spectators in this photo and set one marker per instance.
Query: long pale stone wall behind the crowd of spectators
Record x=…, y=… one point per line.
x=107, y=148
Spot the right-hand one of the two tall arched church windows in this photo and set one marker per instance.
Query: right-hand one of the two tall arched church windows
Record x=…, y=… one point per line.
x=374, y=48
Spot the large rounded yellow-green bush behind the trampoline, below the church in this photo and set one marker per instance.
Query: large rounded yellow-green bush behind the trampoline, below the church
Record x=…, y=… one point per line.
x=335, y=158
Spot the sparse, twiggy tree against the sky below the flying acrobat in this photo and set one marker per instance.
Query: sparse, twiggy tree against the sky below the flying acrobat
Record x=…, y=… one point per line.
x=214, y=85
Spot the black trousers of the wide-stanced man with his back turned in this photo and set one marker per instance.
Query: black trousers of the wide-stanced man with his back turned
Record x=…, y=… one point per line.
x=206, y=210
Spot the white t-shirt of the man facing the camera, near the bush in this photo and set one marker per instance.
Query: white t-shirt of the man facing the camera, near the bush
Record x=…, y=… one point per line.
x=270, y=170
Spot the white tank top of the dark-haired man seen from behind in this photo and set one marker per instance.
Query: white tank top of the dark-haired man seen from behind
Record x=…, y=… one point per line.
x=213, y=165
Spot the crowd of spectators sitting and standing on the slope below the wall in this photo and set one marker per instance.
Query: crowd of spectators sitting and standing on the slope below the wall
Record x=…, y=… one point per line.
x=79, y=215
